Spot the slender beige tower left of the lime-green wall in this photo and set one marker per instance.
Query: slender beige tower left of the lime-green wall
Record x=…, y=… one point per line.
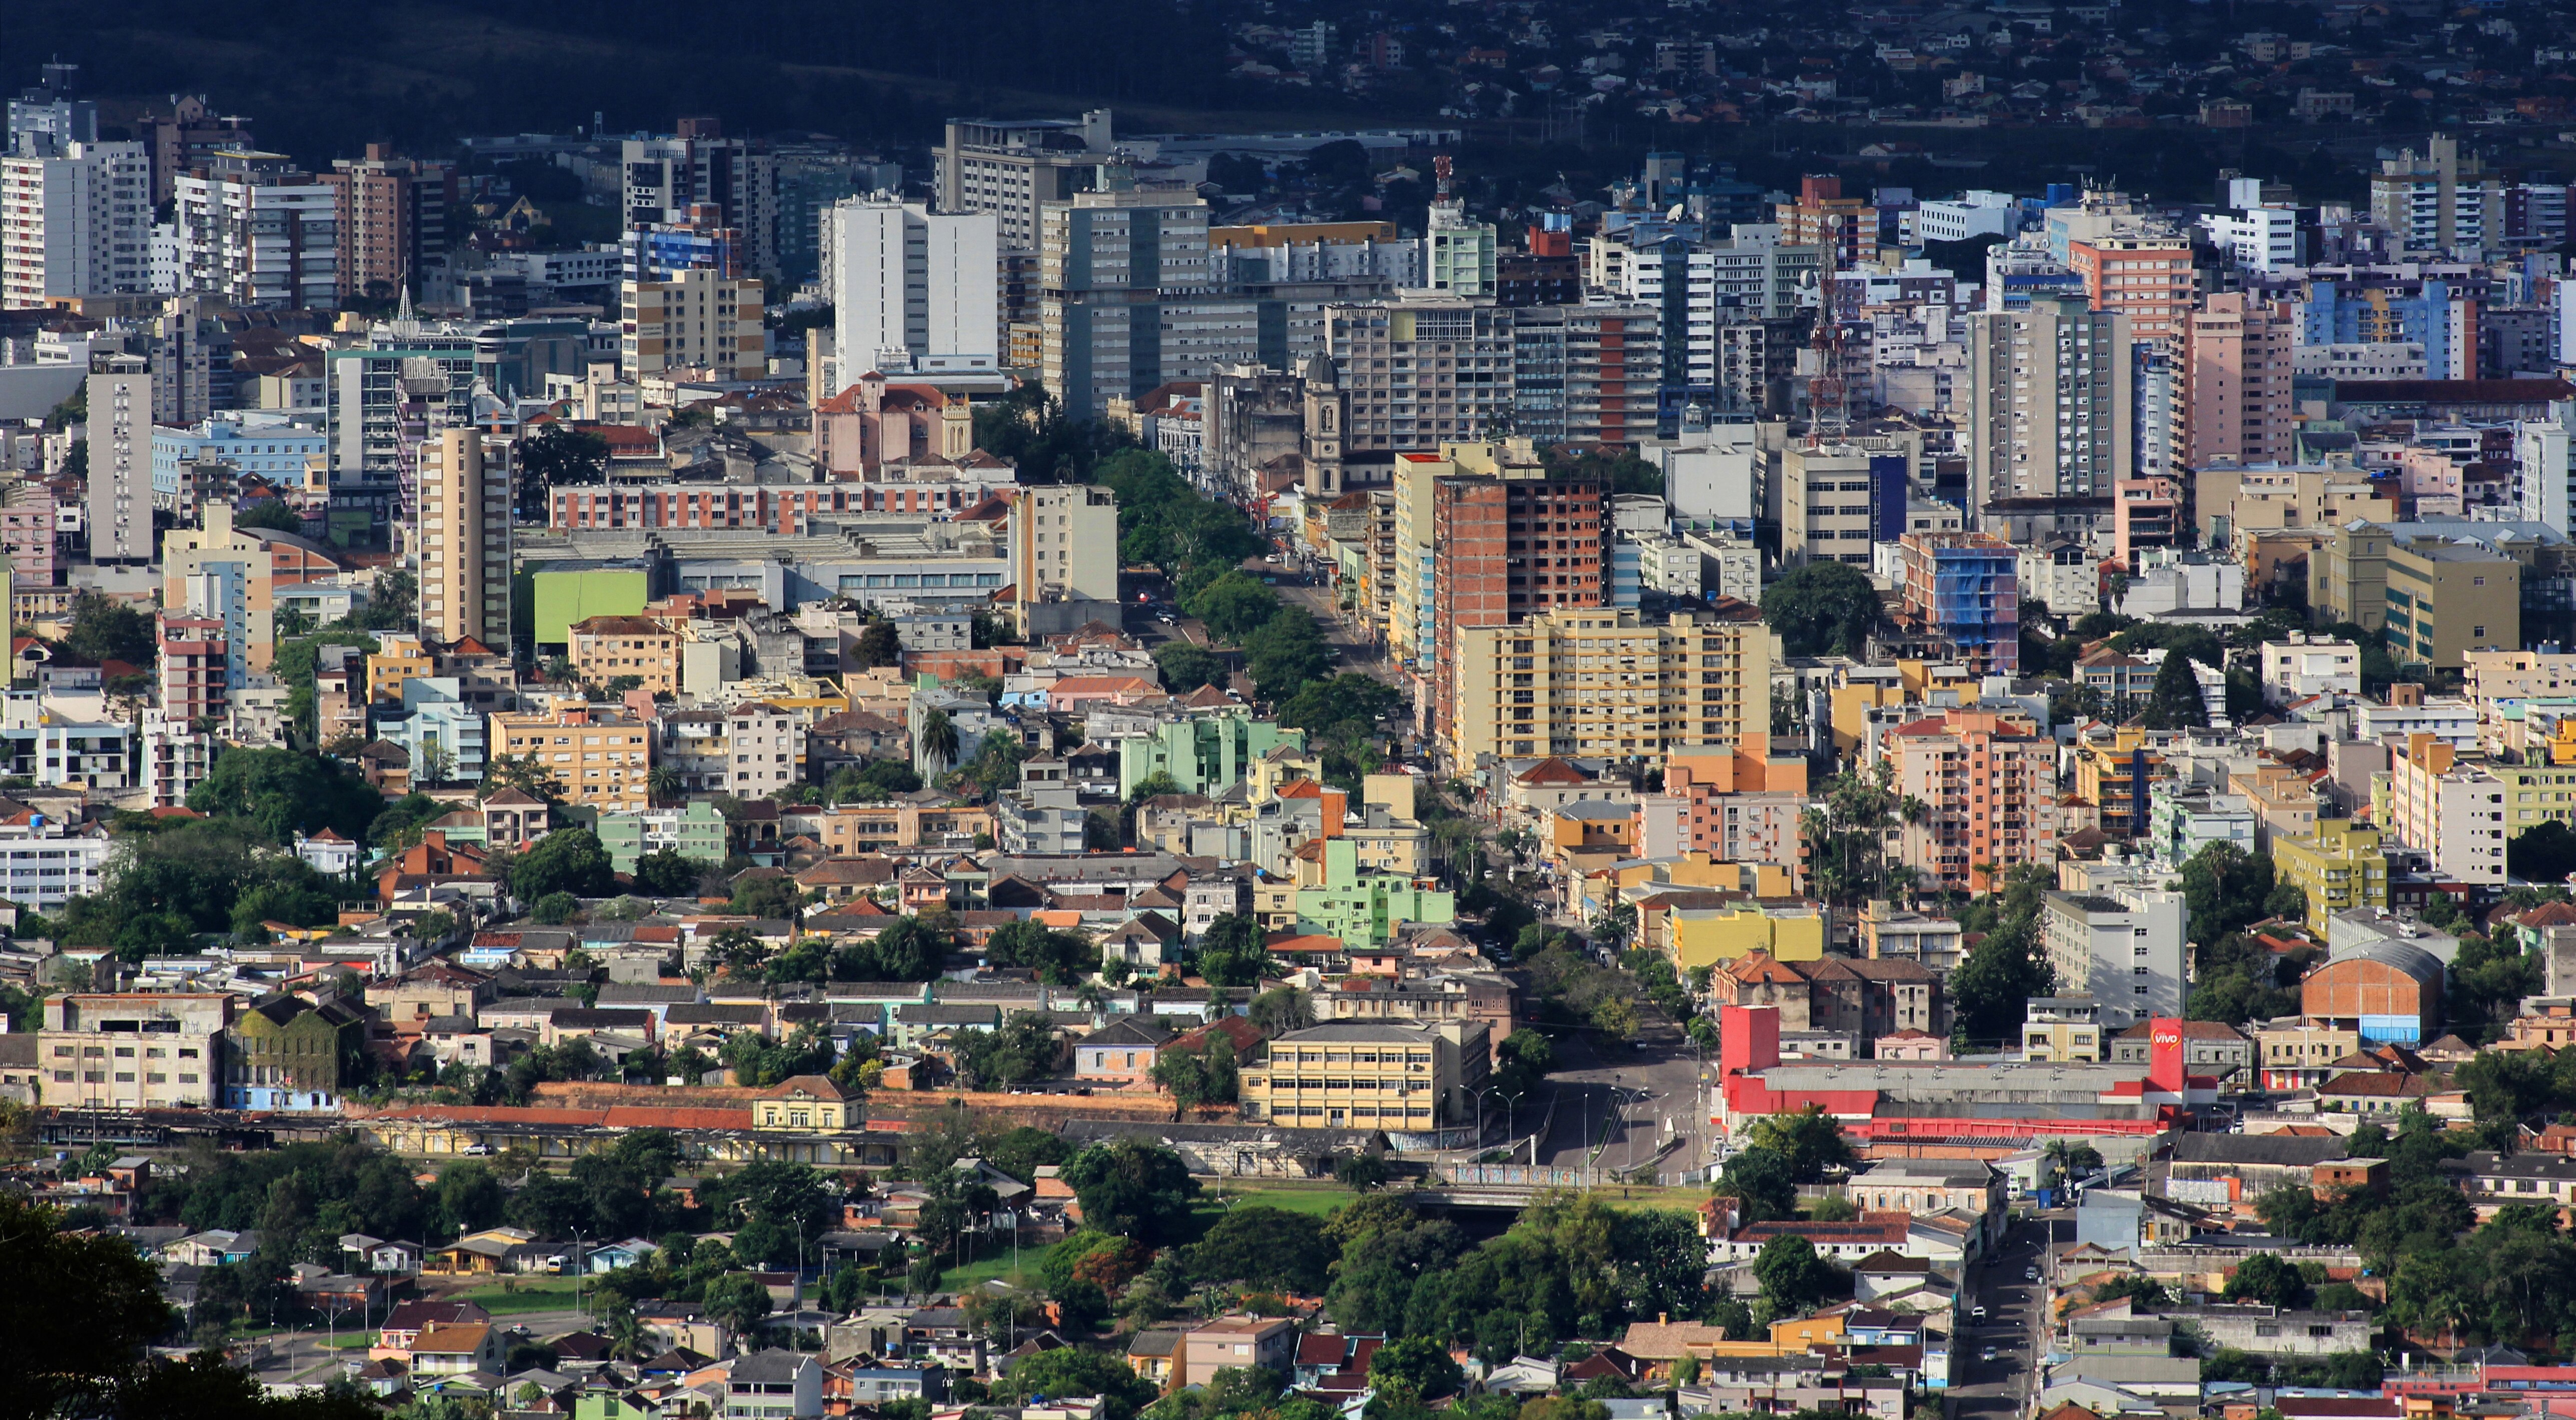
x=465, y=537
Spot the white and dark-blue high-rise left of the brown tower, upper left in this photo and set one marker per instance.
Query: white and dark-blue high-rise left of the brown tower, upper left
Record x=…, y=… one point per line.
x=259, y=233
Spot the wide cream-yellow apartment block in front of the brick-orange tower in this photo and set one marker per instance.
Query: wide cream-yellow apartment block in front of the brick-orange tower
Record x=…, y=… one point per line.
x=1611, y=684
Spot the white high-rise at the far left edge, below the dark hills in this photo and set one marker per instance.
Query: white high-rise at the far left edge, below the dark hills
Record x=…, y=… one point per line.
x=76, y=220
